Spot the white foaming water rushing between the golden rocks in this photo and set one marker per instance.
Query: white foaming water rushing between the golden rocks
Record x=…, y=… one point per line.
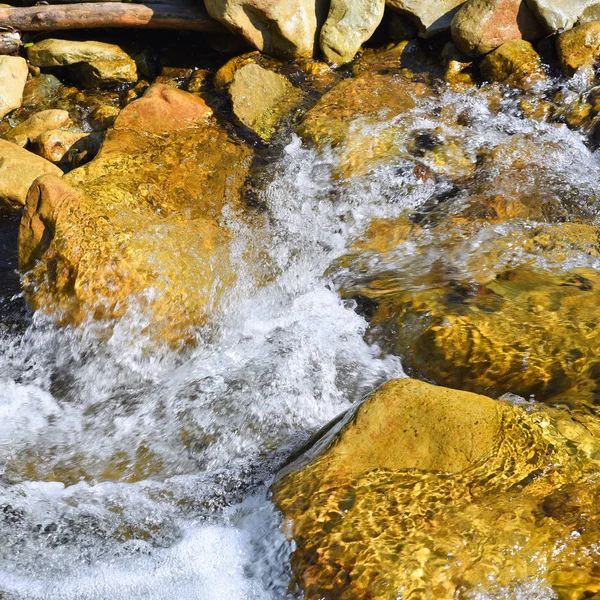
x=128, y=473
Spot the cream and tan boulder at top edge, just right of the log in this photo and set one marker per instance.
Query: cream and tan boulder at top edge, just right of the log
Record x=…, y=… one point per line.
x=283, y=29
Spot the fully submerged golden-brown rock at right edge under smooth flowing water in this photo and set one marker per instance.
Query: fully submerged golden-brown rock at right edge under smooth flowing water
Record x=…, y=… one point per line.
x=491, y=312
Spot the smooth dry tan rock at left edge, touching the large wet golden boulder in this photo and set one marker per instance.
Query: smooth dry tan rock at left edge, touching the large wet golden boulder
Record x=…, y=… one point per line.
x=18, y=170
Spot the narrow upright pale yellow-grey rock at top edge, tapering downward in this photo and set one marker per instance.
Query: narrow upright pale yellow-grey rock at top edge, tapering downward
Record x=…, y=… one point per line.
x=349, y=24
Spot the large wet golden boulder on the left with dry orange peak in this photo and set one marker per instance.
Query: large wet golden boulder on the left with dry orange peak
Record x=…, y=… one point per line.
x=140, y=224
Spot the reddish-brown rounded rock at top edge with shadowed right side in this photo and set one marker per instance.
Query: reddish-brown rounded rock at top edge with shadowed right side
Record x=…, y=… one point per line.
x=480, y=26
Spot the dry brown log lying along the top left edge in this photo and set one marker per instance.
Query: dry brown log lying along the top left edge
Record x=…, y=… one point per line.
x=107, y=14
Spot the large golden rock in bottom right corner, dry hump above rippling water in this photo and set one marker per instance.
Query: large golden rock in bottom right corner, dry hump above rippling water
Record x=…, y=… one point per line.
x=427, y=492
